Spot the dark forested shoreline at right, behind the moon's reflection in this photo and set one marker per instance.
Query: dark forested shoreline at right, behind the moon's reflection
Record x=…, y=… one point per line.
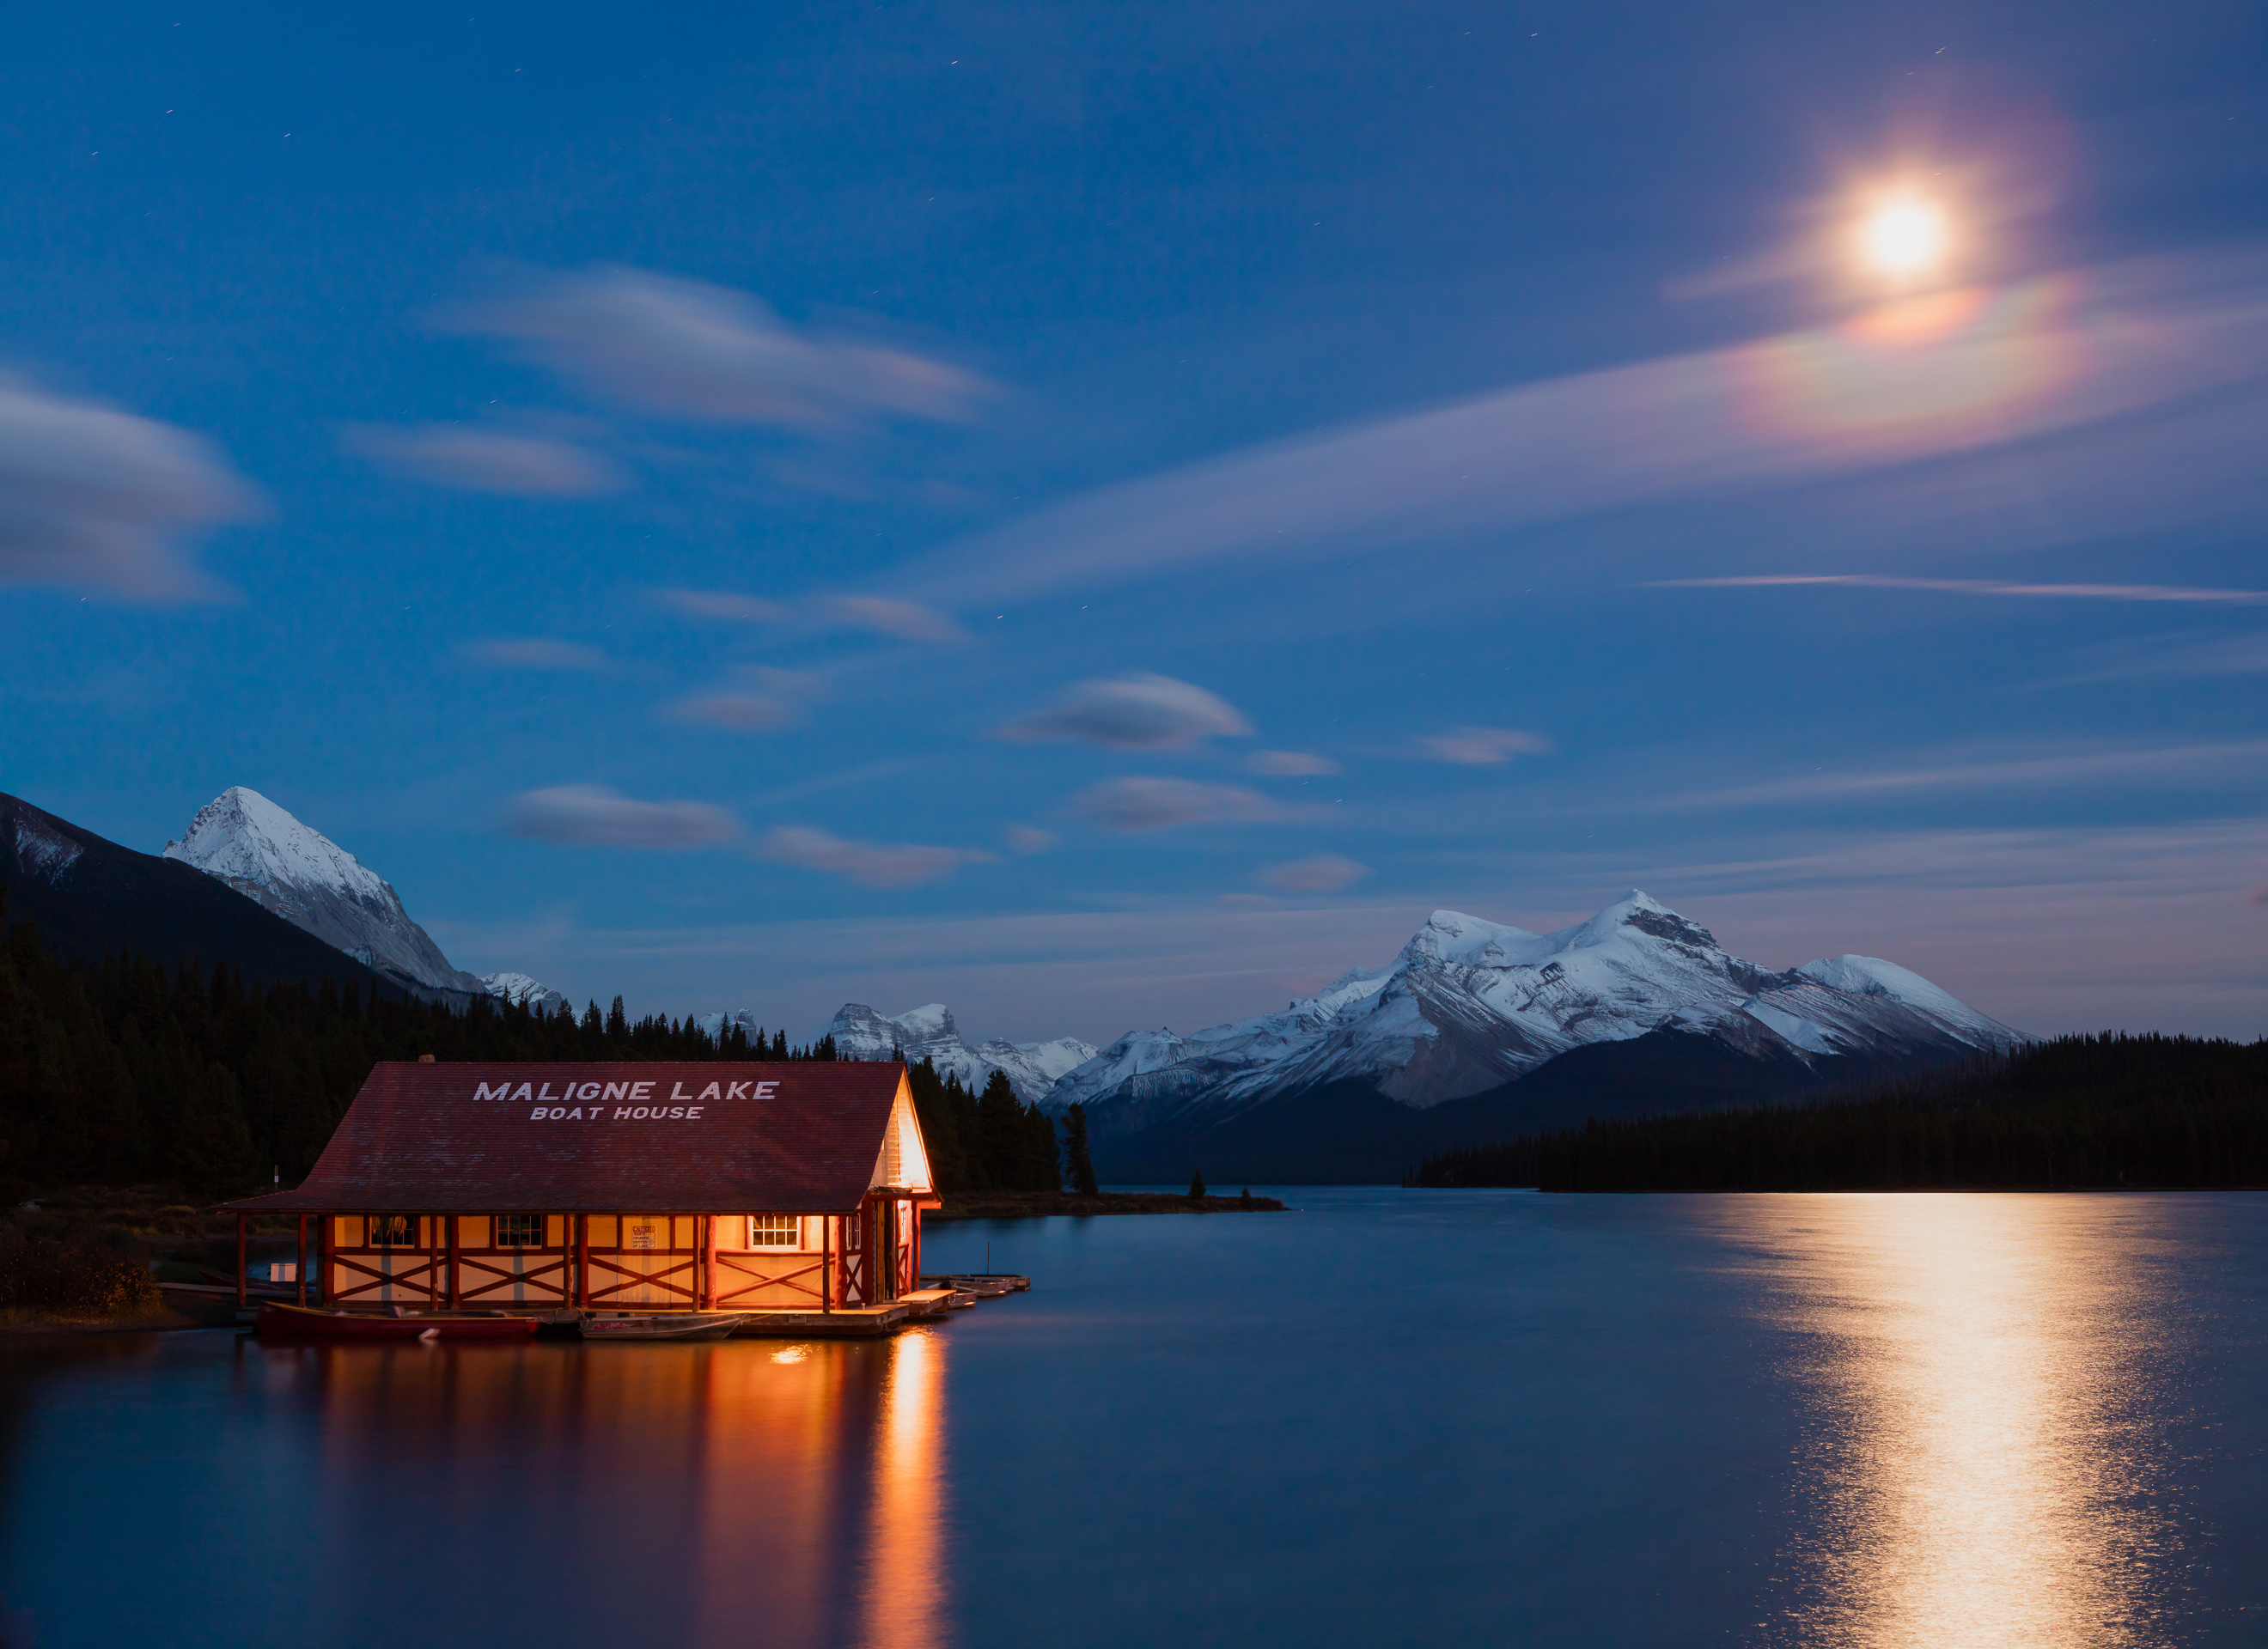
x=2079, y=1113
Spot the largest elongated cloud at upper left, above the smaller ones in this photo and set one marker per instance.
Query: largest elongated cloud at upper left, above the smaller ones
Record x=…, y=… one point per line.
x=713, y=353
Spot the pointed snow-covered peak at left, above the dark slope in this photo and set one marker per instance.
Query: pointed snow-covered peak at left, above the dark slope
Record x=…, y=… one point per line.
x=310, y=881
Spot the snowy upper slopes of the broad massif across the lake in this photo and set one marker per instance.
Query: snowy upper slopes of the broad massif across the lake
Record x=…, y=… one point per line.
x=1473, y=1004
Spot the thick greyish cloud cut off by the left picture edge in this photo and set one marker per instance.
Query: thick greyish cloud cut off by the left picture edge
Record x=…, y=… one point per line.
x=103, y=500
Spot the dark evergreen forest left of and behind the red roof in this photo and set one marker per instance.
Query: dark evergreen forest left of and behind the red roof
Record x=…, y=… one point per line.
x=121, y=1072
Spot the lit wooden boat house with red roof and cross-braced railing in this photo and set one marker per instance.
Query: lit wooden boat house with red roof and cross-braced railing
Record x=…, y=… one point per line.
x=616, y=1187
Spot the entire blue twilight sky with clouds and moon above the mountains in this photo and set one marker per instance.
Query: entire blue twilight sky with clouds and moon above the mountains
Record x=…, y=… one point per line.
x=1108, y=516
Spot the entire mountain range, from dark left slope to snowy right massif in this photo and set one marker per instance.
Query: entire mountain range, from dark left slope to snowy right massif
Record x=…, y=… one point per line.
x=1473, y=1033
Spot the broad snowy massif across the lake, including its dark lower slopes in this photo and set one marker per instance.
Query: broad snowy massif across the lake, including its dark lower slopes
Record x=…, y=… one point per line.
x=1473, y=1017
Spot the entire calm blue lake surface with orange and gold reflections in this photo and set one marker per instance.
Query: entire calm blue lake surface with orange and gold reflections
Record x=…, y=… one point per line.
x=1389, y=1419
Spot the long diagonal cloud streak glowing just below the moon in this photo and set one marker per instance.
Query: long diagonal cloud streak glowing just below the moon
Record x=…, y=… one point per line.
x=1936, y=378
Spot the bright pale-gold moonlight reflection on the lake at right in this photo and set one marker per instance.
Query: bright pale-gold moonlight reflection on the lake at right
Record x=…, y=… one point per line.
x=1974, y=1444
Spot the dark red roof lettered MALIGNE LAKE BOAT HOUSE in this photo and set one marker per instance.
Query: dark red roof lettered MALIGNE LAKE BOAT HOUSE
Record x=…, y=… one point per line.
x=602, y=1138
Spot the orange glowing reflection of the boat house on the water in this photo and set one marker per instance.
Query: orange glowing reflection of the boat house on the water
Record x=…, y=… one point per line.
x=720, y=1494
